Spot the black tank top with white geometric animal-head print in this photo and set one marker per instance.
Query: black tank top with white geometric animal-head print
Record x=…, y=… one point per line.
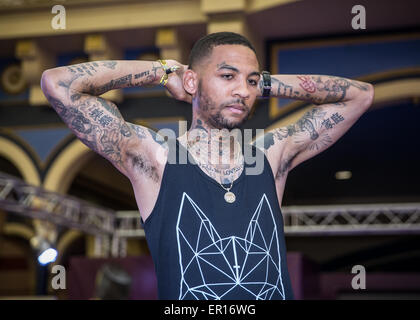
x=206, y=248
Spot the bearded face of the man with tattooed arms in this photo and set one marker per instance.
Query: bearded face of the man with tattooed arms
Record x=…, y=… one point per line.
x=228, y=86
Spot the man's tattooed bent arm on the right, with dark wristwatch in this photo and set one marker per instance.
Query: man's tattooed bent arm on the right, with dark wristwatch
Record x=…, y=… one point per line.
x=340, y=102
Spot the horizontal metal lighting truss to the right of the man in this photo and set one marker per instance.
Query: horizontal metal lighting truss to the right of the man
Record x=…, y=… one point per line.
x=352, y=219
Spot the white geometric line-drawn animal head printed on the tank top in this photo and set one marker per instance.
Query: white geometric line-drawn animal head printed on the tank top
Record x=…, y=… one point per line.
x=250, y=264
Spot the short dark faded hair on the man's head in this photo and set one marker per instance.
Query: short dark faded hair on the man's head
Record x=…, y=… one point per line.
x=204, y=46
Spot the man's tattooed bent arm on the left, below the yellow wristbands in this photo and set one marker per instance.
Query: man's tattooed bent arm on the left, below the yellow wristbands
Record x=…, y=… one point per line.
x=73, y=92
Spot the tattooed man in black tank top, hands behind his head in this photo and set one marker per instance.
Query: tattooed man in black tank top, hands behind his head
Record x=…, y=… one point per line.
x=214, y=231
